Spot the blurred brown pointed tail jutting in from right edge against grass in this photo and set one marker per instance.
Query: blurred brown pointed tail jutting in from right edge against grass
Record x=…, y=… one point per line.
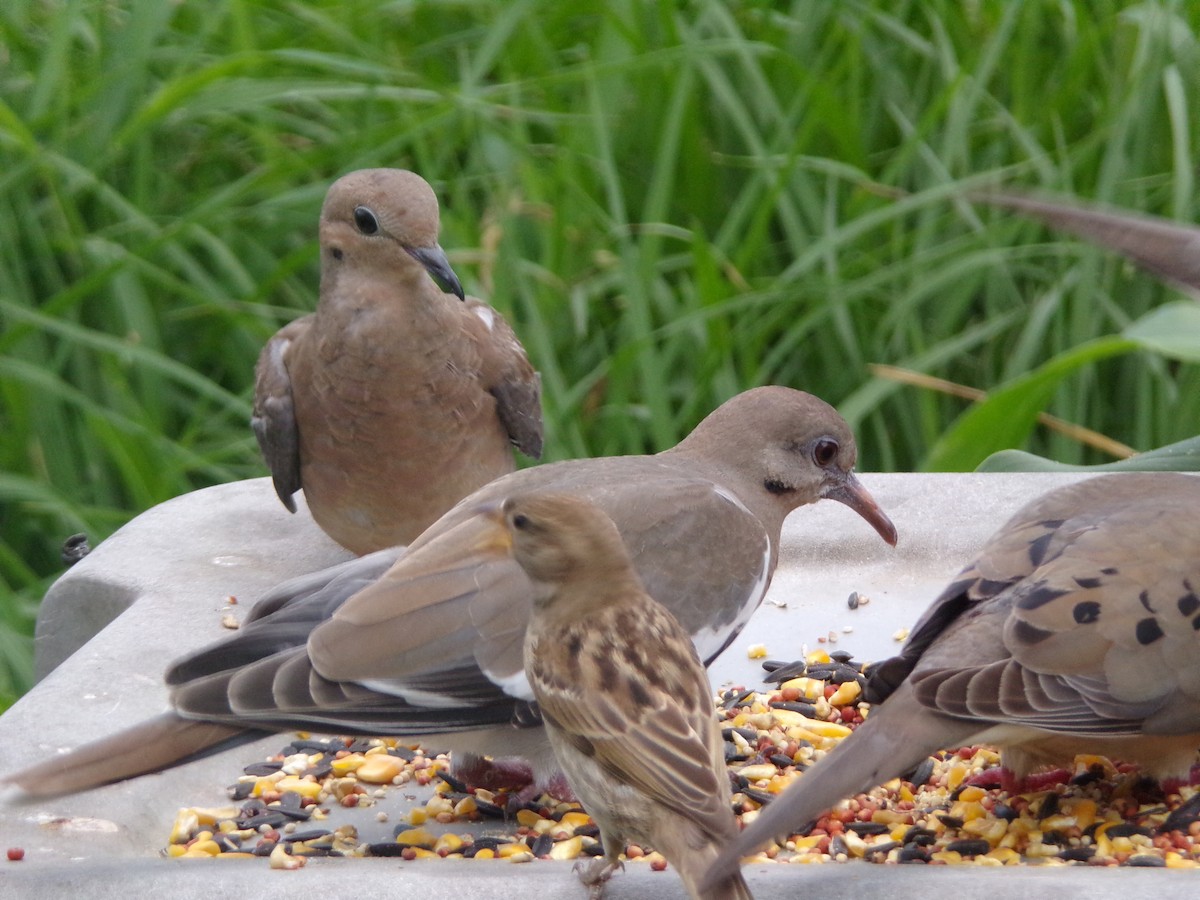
x=1169, y=250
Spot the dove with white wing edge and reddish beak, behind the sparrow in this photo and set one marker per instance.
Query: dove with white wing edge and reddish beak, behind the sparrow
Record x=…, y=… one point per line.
x=433, y=646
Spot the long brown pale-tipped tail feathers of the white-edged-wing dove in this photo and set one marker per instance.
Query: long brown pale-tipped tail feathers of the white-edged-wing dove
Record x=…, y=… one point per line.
x=148, y=747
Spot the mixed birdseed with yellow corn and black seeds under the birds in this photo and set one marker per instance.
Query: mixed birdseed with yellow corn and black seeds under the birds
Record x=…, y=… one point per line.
x=947, y=812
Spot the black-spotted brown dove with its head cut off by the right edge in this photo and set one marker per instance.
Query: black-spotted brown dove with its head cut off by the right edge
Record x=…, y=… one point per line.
x=1077, y=629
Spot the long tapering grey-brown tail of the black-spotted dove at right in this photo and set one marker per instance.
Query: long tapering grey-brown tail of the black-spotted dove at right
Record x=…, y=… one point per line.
x=893, y=741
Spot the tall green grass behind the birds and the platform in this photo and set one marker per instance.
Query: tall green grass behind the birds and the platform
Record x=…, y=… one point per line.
x=671, y=201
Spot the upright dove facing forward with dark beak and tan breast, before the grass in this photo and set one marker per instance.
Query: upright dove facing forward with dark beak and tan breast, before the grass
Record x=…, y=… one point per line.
x=393, y=401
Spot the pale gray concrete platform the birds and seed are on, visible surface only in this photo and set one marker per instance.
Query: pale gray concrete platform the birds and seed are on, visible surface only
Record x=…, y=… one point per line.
x=163, y=584
